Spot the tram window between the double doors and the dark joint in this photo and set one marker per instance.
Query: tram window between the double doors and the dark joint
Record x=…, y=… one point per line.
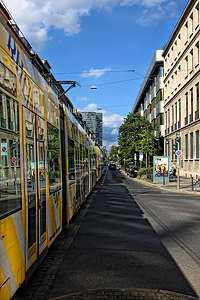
x=53, y=158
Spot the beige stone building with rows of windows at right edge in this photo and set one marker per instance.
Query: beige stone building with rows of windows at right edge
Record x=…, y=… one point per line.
x=181, y=91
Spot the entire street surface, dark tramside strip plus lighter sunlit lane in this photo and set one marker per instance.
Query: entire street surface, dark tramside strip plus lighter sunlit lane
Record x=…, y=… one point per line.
x=127, y=236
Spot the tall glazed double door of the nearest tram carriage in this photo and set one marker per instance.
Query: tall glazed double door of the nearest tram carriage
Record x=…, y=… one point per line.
x=35, y=186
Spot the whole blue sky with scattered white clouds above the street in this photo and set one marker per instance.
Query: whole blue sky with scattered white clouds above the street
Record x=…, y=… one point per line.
x=97, y=42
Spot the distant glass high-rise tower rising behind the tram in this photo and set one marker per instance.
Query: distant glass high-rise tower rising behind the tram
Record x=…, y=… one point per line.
x=95, y=122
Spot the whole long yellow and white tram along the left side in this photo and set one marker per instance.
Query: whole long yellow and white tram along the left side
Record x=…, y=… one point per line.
x=46, y=170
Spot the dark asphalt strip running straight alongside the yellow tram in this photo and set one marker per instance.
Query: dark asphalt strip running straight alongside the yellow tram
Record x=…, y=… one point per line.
x=116, y=247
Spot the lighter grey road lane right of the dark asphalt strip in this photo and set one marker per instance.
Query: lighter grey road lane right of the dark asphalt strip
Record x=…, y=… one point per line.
x=176, y=219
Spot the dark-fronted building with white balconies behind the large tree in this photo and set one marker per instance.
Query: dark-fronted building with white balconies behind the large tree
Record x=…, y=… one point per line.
x=150, y=99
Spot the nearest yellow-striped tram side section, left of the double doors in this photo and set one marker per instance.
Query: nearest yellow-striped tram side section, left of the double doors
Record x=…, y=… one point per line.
x=12, y=205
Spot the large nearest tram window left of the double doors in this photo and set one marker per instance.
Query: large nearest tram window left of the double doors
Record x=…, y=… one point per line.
x=10, y=179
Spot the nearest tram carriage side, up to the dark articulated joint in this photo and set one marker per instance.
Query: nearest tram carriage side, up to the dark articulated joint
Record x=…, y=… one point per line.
x=31, y=202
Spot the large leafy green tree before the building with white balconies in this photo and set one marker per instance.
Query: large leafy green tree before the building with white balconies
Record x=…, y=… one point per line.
x=136, y=135
